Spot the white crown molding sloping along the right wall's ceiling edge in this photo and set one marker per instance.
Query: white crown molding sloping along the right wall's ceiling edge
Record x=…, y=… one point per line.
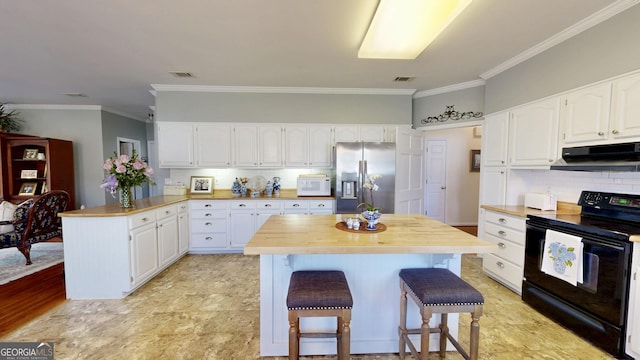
x=577, y=28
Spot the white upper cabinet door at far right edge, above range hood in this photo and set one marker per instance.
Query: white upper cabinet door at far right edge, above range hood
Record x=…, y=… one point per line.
x=626, y=108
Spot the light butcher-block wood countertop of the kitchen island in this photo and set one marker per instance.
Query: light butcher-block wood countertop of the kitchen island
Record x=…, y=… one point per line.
x=405, y=234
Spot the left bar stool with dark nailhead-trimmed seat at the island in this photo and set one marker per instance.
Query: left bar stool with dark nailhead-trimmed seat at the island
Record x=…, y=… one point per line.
x=319, y=293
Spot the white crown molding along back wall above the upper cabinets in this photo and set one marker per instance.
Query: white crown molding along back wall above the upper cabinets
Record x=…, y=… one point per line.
x=281, y=90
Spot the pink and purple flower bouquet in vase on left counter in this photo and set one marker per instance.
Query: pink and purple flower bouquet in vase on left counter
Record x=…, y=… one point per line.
x=125, y=172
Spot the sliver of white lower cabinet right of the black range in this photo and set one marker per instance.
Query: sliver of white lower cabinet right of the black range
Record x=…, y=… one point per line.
x=632, y=347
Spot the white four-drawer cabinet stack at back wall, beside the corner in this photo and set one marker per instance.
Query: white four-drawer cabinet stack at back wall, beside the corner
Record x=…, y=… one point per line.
x=209, y=226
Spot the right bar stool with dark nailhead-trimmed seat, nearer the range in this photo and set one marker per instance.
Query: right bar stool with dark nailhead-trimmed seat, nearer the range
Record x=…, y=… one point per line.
x=443, y=292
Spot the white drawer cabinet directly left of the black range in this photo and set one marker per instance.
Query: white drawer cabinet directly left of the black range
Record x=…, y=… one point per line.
x=507, y=264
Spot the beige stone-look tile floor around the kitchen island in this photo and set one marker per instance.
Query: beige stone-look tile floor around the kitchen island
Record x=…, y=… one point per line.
x=206, y=307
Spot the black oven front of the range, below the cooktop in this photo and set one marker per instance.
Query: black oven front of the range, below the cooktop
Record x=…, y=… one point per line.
x=595, y=309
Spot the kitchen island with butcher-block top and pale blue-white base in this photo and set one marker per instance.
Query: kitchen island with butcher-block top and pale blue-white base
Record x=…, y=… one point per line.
x=371, y=262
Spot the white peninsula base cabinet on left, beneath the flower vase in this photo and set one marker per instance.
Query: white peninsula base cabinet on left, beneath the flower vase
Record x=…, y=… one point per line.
x=108, y=257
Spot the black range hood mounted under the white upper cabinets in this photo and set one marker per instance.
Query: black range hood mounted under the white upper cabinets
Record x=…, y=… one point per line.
x=610, y=157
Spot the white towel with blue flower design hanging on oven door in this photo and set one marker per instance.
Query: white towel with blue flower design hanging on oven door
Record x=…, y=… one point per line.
x=562, y=257
